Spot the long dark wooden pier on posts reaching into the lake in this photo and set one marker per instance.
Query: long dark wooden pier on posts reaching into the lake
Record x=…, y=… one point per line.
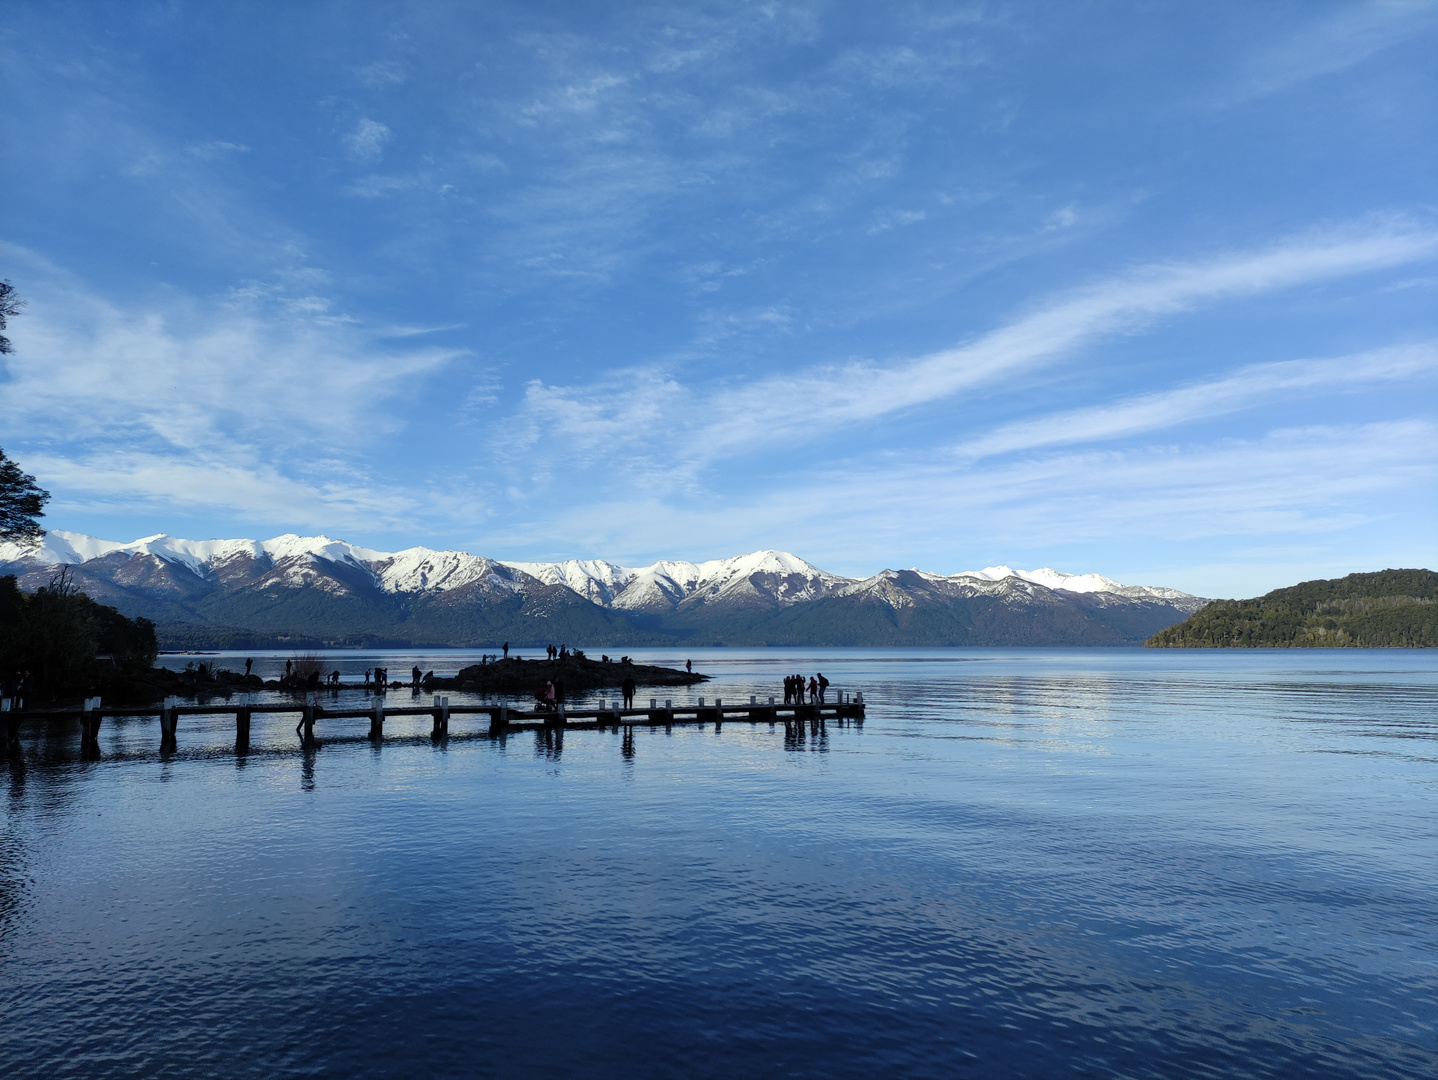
x=495, y=721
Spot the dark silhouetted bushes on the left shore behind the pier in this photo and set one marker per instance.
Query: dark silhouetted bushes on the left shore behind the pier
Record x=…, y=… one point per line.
x=70, y=645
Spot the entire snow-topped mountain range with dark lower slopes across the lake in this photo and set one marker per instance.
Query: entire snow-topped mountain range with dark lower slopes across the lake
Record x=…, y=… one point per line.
x=323, y=590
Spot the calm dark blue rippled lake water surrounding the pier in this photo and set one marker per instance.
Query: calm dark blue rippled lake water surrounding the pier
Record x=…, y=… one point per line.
x=1036, y=864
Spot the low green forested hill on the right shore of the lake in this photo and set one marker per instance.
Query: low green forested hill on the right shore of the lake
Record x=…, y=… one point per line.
x=1390, y=609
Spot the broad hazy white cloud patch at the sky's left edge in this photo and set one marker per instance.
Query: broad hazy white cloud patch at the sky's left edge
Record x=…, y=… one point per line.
x=175, y=403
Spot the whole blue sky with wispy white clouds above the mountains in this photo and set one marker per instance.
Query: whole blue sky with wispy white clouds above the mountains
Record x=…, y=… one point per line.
x=1142, y=290
